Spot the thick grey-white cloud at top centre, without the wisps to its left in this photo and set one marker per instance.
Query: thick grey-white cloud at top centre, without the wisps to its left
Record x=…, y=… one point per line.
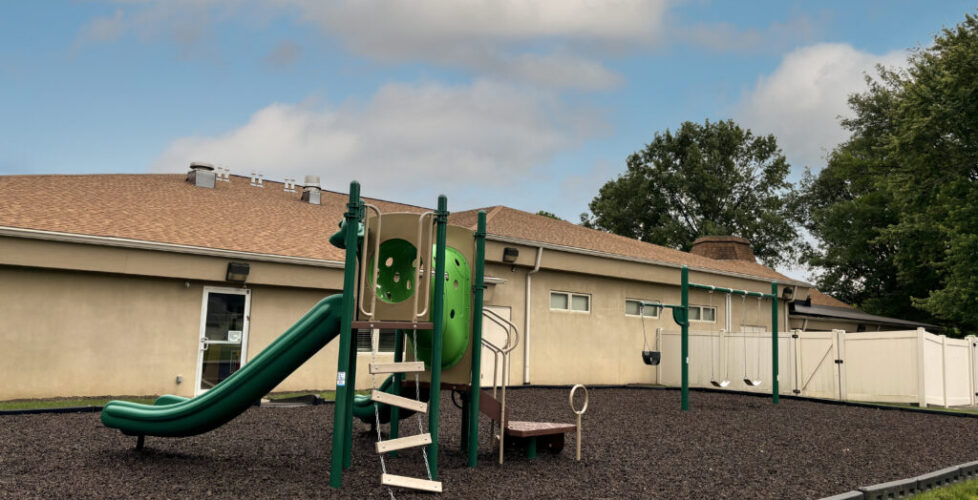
x=498, y=38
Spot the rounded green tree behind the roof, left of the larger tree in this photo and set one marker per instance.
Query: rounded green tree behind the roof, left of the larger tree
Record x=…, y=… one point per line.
x=704, y=179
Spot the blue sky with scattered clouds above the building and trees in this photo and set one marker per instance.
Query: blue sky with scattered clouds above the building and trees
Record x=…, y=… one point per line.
x=528, y=104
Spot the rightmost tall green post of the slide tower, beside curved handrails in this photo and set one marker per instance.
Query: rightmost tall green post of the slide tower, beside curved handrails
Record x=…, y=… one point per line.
x=478, y=289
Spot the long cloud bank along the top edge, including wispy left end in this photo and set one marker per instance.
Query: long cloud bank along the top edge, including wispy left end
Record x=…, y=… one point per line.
x=550, y=43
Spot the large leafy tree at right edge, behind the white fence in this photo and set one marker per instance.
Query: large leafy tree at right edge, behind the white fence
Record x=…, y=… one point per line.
x=896, y=209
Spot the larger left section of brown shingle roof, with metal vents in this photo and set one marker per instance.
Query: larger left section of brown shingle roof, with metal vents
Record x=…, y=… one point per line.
x=167, y=209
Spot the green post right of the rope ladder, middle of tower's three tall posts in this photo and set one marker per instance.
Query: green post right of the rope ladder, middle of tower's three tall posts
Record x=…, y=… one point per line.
x=437, y=312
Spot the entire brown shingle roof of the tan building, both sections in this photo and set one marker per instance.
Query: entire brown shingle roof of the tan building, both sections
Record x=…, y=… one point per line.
x=235, y=216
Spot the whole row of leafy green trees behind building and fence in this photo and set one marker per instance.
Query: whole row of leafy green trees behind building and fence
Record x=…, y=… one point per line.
x=893, y=215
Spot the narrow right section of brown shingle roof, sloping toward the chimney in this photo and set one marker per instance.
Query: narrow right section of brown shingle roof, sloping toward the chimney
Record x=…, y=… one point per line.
x=512, y=223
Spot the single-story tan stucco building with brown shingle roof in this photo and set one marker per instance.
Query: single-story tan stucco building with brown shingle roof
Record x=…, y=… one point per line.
x=152, y=284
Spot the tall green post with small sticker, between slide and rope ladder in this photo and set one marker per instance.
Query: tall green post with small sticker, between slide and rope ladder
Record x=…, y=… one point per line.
x=343, y=412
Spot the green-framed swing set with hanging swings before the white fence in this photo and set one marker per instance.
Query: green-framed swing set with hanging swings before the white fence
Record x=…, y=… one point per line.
x=680, y=314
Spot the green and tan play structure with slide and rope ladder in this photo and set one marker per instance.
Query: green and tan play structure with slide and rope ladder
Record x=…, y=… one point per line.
x=412, y=273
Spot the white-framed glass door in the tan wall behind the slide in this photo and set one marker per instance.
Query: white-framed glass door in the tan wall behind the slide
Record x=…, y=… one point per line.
x=224, y=319
